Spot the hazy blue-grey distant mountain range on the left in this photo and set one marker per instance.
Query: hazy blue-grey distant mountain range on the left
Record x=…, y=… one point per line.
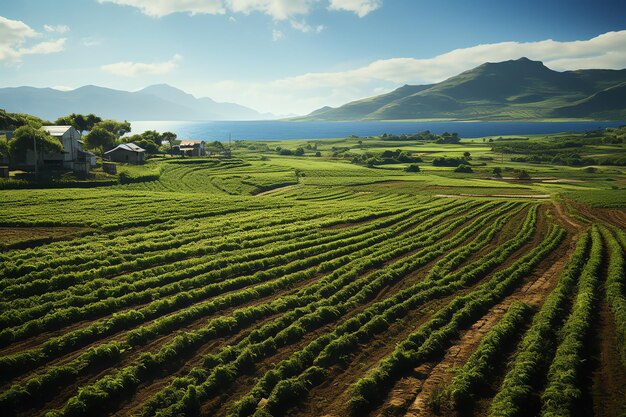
x=156, y=102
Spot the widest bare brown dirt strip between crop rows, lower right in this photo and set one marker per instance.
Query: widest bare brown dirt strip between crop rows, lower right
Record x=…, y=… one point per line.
x=436, y=376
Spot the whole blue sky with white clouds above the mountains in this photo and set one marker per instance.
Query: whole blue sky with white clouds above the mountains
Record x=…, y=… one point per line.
x=294, y=56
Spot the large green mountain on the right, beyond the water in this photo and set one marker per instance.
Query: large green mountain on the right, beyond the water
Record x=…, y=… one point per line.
x=511, y=90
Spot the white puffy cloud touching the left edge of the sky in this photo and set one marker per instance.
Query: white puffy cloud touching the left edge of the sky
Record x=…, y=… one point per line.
x=14, y=34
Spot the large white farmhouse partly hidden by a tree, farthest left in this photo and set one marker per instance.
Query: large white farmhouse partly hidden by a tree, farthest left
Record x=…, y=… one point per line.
x=72, y=157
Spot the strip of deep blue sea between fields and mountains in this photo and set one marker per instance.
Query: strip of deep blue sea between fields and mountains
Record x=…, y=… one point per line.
x=281, y=130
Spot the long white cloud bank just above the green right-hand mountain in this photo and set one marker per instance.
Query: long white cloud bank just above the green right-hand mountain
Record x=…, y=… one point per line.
x=306, y=92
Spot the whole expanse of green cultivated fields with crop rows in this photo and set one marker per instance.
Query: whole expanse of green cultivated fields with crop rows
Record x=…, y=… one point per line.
x=308, y=285
